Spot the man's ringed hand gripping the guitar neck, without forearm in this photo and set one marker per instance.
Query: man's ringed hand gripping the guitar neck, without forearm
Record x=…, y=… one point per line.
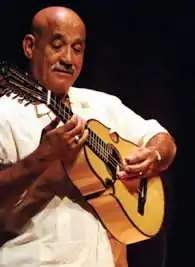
x=60, y=143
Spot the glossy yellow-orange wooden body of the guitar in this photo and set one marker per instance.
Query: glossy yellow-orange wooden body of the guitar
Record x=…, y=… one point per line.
x=117, y=206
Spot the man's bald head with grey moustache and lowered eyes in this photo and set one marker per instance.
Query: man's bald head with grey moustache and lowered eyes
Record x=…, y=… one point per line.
x=56, y=47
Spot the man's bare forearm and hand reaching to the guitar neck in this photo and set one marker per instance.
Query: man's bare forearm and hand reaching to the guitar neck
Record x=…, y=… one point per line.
x=56, y=144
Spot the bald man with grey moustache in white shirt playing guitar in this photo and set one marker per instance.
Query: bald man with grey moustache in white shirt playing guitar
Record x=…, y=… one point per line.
x=51, y=226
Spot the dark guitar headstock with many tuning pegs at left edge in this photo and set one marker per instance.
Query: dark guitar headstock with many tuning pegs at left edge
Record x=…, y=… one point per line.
x=14, y=81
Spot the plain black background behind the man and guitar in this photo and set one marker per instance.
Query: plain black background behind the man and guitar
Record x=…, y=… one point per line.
x=143, y=52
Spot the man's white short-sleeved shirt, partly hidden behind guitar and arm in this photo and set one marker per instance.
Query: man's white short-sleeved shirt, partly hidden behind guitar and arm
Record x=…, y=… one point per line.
x=63, y=233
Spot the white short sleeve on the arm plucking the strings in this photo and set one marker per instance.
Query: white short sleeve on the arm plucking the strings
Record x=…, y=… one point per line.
x=130, y=125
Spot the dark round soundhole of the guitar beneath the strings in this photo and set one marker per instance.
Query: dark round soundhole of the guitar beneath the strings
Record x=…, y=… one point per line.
x=113, y=165
